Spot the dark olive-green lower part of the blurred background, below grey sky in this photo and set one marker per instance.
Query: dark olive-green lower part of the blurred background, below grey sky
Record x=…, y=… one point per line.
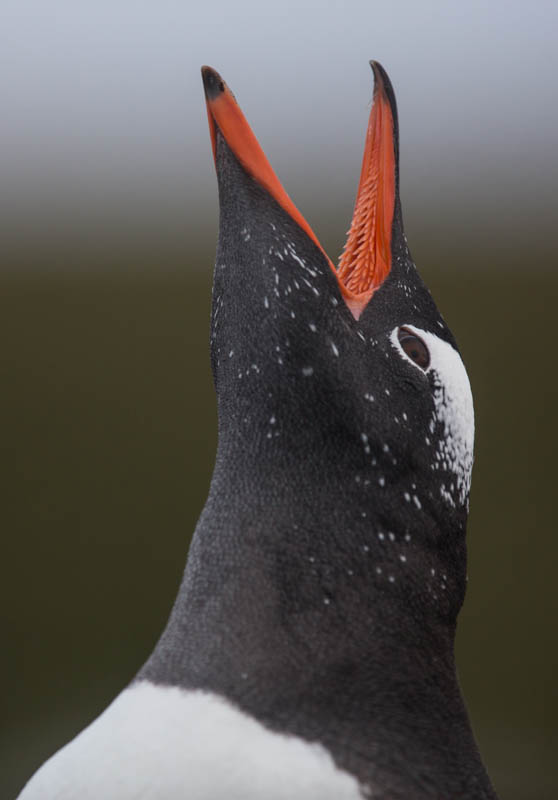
x=108, y=445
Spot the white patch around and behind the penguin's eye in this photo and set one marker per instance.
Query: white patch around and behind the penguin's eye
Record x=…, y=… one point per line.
x=453, y=408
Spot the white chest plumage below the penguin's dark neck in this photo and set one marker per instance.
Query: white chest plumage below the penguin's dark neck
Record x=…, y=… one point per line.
x=157, y=742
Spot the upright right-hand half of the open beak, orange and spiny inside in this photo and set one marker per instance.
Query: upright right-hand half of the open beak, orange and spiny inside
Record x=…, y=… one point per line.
x=366, y=258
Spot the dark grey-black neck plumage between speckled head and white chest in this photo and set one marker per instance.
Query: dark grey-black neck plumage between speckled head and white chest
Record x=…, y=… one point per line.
x=287, y=608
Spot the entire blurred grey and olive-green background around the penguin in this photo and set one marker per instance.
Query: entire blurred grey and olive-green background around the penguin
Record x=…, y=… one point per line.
x=108, y=226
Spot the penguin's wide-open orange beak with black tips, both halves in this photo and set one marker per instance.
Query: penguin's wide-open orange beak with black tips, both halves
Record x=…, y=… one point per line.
x=366, y=258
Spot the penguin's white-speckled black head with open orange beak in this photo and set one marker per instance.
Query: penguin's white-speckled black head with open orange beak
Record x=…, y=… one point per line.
x=346, y=380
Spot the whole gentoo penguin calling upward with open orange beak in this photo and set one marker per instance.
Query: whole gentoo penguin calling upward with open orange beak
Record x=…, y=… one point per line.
x=310, y=651
